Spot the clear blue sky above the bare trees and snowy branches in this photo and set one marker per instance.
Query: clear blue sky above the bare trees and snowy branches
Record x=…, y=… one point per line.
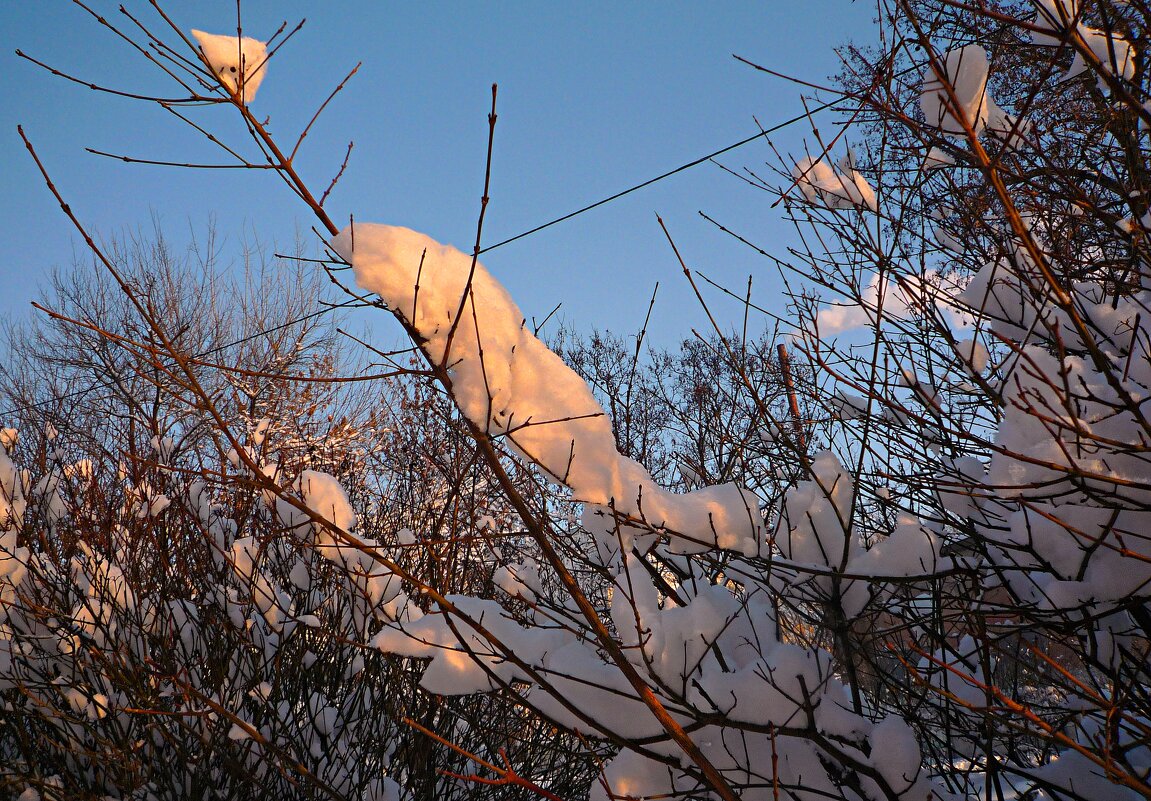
x=594, y=97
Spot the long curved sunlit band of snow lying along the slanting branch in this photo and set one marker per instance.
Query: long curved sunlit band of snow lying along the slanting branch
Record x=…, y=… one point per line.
x=512, y=386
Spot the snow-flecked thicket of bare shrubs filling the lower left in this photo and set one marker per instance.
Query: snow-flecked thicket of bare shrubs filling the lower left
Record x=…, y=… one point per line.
x=169, y=624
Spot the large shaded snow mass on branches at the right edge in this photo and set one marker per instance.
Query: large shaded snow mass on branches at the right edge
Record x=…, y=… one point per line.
x=1068, y=492
